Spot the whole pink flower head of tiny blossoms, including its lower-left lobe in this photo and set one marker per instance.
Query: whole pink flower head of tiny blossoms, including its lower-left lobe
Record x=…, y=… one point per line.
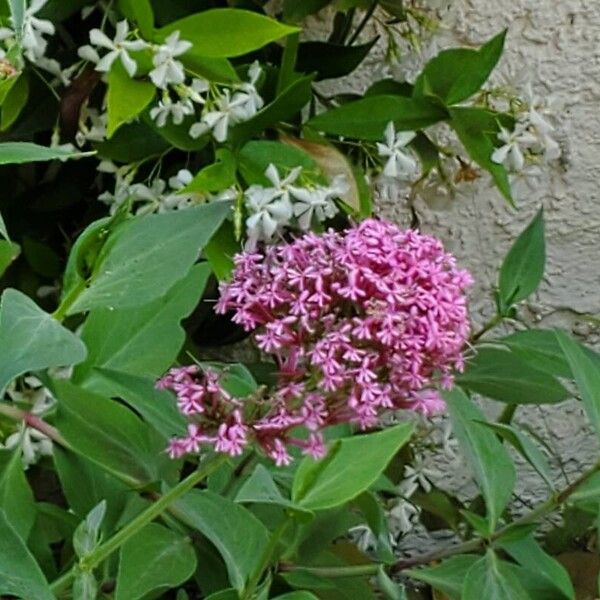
x=359, y=323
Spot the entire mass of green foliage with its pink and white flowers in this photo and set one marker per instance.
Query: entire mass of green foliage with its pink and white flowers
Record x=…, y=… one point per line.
x=200, y=129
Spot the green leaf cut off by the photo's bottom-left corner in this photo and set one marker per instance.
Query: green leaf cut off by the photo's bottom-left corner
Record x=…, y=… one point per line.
x=20, y=575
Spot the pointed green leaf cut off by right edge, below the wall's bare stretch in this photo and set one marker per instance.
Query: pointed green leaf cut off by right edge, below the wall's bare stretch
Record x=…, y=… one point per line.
x=587, y=377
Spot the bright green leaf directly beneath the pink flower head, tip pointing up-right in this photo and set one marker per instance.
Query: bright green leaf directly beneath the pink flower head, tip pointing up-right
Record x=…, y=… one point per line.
x=351, y=466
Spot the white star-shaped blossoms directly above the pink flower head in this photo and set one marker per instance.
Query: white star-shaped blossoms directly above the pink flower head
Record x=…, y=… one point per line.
x=285, y=203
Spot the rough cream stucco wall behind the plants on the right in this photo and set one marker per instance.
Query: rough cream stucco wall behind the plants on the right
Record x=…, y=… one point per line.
x=557, y=43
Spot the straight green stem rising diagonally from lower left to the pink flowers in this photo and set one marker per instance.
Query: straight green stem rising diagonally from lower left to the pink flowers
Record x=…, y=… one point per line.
x=102, y=552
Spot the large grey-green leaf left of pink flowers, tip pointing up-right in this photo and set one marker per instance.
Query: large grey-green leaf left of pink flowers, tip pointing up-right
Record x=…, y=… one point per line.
x=146, y=256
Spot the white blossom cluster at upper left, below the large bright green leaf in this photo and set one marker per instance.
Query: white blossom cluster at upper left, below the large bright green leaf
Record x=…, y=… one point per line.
x=218, y=106
